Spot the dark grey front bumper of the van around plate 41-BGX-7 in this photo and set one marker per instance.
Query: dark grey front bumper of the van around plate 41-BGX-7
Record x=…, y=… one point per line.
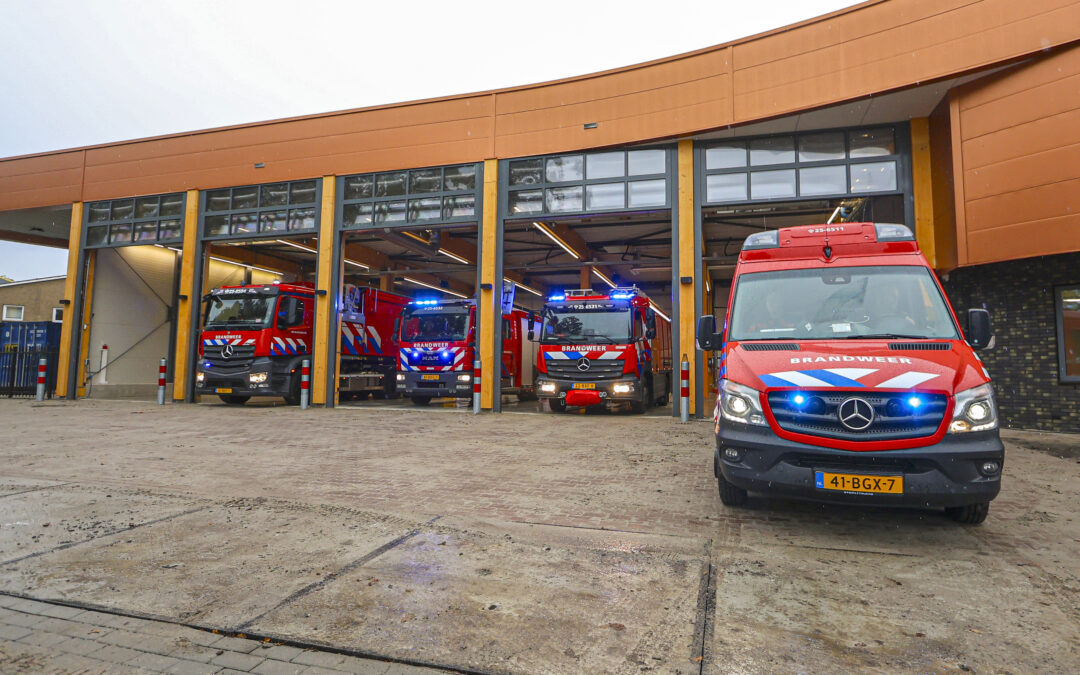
x=947, y=475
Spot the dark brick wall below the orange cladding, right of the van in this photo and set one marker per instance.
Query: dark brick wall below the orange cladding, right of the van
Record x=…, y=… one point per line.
x=1020, y=296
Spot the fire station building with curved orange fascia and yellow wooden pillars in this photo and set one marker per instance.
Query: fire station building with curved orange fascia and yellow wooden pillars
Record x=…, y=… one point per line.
x=958, y=118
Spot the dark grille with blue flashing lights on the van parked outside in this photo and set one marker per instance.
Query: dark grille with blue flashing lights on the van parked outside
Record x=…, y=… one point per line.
x=819, y=415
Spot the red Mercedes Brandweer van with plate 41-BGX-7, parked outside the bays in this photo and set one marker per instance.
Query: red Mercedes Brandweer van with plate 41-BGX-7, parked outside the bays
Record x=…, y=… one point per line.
x=846, y=377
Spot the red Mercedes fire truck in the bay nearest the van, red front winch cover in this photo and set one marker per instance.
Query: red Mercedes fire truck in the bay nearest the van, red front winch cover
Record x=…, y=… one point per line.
x=604, y=349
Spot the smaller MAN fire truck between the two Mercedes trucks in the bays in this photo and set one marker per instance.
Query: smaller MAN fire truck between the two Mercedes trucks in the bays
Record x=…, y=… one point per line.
x=438, y=348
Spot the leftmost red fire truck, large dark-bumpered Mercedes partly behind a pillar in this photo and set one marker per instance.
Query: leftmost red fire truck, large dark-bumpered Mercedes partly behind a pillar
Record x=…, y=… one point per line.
x=255, y=337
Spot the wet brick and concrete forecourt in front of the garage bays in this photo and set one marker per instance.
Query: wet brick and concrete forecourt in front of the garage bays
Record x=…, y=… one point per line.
x=518, y=545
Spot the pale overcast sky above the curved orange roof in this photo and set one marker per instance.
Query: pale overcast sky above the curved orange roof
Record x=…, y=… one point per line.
x=80, y=73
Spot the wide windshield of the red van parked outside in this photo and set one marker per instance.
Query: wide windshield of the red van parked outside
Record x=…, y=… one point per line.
x=841, y=303
